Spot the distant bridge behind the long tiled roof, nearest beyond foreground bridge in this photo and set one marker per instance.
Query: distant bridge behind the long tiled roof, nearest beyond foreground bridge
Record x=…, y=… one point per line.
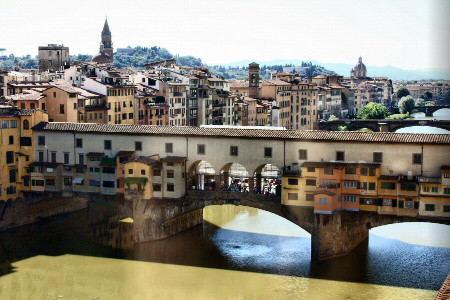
x=384, y=125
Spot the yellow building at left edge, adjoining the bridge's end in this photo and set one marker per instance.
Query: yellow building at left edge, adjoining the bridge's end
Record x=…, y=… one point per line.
x=16, y=149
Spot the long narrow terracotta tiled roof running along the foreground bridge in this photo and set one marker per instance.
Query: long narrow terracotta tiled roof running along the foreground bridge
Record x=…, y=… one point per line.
x=308, y=135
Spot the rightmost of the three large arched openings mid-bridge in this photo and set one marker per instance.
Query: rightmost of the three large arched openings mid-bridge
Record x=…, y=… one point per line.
x=267, y=180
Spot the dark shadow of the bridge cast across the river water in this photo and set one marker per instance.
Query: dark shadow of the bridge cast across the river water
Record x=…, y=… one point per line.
x=381, y=261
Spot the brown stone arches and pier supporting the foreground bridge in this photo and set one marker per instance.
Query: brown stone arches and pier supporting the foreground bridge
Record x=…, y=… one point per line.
x=331, y=235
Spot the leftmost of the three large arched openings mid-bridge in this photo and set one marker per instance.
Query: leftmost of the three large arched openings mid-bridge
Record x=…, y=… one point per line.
x=201, y=176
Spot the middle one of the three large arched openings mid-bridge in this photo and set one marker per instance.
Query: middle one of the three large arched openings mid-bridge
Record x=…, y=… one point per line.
x=234, y=177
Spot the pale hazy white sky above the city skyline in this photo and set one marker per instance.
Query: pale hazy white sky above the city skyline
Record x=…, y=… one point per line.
x=409, y=34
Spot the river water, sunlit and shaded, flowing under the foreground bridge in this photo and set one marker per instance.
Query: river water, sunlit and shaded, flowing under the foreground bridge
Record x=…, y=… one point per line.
x=237, y=253
